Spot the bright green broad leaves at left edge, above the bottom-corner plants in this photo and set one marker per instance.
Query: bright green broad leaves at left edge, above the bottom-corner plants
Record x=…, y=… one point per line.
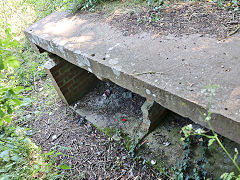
x=9, y=98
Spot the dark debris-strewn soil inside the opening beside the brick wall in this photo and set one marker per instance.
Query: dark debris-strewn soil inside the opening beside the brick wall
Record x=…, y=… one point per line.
x=108, y=99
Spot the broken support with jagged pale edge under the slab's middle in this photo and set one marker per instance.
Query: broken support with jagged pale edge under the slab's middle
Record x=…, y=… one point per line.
x=153, y=114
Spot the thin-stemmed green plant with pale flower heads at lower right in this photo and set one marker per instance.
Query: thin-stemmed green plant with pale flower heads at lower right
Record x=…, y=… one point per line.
x=188, y=131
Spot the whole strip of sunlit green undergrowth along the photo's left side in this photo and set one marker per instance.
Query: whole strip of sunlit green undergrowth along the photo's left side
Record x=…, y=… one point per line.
x=20, y=69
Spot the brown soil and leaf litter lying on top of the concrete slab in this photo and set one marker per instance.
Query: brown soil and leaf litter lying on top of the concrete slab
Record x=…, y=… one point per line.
x=179, y=19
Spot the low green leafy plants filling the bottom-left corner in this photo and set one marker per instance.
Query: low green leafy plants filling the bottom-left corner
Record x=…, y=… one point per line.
x=19, y=156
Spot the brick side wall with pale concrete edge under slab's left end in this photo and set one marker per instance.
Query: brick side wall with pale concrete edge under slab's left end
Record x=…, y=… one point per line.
x=70, y=81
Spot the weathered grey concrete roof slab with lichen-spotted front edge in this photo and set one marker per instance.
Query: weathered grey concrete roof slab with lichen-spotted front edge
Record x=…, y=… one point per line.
x=184, y=65
